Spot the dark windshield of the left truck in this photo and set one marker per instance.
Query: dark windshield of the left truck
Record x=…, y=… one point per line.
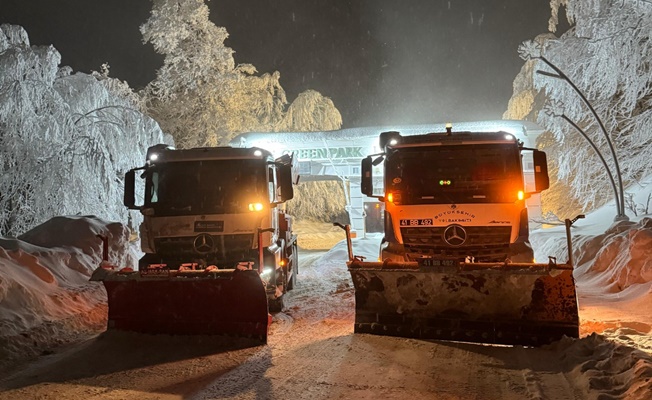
x=205, y=187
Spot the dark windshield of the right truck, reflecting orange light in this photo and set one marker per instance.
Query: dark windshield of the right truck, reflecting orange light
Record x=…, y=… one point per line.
x=488, y=173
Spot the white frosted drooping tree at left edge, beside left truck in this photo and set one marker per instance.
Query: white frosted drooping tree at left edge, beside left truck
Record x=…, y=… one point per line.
x=65, y=139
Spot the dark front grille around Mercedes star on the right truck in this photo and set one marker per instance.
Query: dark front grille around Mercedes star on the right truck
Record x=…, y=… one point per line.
x=484, y=243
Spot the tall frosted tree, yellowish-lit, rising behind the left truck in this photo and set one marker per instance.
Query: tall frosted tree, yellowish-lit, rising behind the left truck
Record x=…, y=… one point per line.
x=202, y=97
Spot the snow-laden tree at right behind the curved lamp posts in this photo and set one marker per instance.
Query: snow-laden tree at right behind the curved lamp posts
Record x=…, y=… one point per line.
x=607, y=54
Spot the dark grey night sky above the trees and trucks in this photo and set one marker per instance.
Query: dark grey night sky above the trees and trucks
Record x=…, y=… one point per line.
x=381, y=61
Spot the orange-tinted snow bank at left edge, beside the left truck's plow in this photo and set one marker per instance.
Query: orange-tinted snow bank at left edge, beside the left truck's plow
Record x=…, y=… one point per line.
x=46, y=298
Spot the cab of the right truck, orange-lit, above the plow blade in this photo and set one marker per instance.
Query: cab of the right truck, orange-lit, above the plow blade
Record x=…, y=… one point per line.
x=454, y=197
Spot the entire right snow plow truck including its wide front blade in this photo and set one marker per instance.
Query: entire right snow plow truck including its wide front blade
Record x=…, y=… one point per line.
x=455, y=261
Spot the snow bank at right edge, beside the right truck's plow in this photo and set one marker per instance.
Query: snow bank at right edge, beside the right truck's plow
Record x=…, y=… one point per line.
x=613, y=259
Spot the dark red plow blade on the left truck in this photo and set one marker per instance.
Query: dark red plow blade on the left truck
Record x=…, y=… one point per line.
x=222, y=302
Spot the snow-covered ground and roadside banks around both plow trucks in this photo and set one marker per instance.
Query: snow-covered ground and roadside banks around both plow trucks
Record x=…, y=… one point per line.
x=52, y=315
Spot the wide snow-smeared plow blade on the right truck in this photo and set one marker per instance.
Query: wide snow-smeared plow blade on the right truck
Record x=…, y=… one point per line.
x=526, y=304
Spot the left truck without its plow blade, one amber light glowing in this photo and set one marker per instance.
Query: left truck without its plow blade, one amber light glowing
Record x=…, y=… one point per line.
x=218, y=208
